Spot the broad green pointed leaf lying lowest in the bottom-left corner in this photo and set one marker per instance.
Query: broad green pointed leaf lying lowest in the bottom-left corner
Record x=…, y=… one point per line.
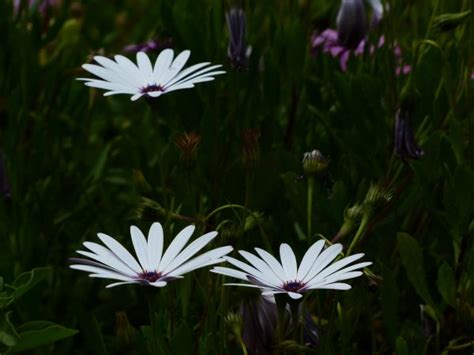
x=39, y=333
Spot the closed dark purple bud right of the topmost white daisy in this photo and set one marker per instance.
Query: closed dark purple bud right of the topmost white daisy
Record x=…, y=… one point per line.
x=237, y=50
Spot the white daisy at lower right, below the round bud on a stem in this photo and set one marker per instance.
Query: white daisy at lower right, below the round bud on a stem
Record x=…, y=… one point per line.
x=315, y=271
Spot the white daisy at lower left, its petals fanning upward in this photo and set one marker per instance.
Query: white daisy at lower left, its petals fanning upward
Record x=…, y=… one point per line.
x=153, y=268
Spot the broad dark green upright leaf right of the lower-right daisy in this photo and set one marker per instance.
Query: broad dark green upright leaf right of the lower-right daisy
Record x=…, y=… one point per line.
x=412, y=260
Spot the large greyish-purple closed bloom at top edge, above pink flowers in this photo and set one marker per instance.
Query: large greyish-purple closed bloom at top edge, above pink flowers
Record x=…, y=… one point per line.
x=351, y=23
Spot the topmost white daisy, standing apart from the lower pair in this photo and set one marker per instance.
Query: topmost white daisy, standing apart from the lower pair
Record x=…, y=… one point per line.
x=122, y=76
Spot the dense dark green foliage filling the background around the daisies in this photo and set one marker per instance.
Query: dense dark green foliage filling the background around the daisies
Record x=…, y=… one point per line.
x=77, y=163
